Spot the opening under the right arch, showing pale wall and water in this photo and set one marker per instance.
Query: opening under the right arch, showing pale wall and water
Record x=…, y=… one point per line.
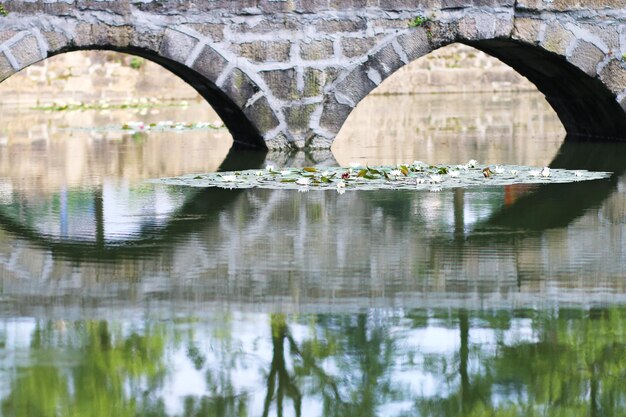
x=449, y=106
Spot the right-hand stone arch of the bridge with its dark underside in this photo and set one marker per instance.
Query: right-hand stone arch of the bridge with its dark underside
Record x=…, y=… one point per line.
x=582, y=77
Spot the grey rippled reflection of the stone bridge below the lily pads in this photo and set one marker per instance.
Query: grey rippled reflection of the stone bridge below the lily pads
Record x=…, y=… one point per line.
x=266, y=247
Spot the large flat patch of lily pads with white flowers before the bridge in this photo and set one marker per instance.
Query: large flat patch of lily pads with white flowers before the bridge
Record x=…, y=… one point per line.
x=417, y=175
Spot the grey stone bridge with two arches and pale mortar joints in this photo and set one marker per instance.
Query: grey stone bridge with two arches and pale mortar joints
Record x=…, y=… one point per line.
x=287, y=73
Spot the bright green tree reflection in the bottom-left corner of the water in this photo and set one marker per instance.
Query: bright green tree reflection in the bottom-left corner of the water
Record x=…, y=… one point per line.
x=88, y=369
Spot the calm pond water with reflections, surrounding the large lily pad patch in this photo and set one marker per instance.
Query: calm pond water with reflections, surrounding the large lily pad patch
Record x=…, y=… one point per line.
x=118, y=297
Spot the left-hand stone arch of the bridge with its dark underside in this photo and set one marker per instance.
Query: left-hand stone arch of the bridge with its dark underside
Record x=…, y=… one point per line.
x=236, y=95
